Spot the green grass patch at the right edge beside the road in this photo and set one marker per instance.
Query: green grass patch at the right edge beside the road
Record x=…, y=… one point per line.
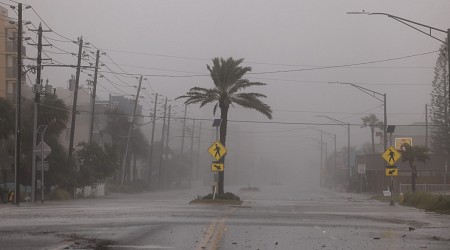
x=428, y=202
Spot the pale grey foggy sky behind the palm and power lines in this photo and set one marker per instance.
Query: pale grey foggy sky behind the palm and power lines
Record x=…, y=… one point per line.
x=301, y=49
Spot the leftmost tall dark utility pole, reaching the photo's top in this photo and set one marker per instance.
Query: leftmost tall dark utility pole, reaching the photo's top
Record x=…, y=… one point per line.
x=18, y=97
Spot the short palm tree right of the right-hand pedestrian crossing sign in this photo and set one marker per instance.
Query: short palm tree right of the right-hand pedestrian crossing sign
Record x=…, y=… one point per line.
x=412, y=154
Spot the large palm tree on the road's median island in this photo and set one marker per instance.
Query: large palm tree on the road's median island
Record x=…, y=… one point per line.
x=228, y=81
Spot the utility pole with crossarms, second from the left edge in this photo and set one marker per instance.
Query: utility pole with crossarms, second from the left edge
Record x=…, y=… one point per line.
x=37, y=89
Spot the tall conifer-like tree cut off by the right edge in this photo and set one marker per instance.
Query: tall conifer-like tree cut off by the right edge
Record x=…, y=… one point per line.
x=440, y=133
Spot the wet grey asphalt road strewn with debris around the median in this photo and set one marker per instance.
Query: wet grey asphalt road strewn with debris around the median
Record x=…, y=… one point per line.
x=276, y=217
